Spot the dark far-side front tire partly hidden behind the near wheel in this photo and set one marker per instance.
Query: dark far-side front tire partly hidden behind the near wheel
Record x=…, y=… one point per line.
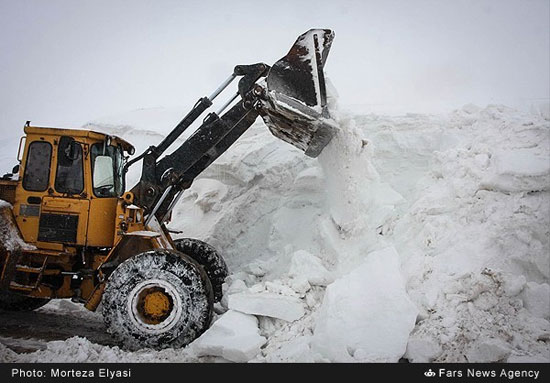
x=207, y=257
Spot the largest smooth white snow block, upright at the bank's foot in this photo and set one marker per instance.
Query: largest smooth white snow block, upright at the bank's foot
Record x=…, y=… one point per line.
x=366, y=315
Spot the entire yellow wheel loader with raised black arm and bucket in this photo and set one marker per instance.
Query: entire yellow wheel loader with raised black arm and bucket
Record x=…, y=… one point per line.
x=69, y=228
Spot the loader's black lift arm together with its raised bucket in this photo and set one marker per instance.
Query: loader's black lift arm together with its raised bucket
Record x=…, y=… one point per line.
x=292, y=102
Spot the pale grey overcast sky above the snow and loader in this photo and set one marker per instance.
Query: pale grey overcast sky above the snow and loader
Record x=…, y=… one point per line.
x=66, y=62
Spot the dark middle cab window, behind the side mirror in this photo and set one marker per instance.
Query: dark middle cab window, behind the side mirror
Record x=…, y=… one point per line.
x=69, y=176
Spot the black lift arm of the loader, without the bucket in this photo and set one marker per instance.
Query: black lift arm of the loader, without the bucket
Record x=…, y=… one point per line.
x=163, y=181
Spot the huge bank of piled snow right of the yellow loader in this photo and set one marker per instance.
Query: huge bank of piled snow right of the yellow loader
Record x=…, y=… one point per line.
x=441, y=191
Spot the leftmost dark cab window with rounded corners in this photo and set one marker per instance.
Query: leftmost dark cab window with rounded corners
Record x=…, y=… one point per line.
x=37, y=168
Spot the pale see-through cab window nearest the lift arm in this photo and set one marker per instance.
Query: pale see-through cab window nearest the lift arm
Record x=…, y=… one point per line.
x=114, y=187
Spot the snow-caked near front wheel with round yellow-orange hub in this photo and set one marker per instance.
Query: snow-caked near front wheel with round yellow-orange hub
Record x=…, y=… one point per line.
x=157, y=299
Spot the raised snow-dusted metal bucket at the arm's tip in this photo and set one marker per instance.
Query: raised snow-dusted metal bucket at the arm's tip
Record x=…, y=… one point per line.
x=296, y=110
